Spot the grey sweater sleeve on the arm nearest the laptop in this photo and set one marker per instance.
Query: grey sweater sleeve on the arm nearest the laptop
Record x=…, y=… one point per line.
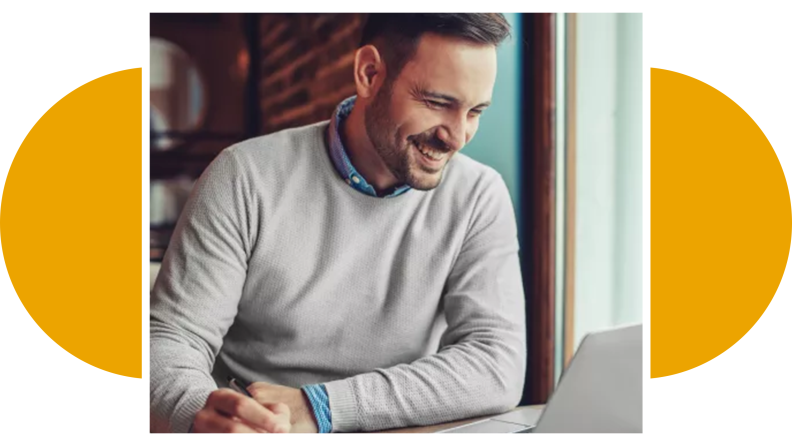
x=480, y=366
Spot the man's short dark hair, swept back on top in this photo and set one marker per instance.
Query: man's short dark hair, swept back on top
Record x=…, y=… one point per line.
x=401, y=33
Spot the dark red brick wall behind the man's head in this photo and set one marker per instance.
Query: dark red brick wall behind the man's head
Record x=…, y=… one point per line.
x=306, y=66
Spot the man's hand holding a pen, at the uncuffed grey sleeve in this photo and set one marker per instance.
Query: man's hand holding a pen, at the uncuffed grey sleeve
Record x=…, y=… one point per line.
x=231, y=412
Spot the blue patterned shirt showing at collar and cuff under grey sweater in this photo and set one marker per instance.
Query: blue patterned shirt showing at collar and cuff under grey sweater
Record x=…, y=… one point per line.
x=316, y=393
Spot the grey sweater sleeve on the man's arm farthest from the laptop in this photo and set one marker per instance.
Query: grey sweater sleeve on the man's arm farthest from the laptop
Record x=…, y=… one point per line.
x=194, y=299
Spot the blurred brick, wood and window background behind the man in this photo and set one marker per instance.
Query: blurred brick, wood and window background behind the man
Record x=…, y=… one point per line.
x=564, y=131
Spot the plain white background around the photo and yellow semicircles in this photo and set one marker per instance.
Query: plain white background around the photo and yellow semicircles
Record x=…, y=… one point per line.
x=48, y=50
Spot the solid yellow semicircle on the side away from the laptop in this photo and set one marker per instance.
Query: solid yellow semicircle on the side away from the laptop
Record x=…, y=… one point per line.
x=70, y=223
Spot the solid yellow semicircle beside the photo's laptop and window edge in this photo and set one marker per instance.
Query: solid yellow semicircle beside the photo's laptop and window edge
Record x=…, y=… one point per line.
x=720, y=223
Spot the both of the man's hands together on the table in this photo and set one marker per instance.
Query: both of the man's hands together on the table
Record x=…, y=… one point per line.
x=273, y=409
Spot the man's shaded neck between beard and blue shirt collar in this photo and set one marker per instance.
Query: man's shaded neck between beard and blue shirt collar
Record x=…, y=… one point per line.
x=362, y=154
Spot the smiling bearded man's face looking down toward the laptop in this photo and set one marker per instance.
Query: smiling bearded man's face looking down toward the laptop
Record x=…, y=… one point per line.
x=419, y=120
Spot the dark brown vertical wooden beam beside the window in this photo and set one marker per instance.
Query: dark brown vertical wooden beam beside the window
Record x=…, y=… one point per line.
x=539, y=201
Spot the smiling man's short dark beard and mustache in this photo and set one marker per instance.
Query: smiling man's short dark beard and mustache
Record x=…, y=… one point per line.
x=397, y=155
